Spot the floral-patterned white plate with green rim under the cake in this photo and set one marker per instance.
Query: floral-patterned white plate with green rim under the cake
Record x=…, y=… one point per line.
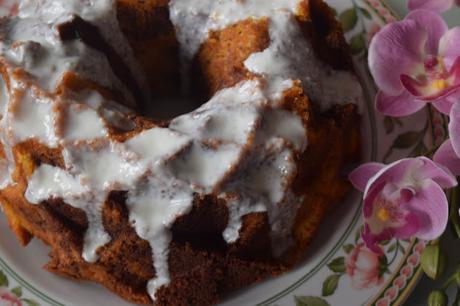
x=338, y=271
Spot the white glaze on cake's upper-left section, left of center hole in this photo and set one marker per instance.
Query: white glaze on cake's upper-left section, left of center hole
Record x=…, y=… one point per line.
x=34, y=43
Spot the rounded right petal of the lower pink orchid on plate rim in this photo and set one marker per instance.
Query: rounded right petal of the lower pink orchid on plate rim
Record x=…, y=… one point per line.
x=432, y=209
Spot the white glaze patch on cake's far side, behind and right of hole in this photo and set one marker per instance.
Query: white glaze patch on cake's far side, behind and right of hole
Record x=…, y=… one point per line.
x=289, y=56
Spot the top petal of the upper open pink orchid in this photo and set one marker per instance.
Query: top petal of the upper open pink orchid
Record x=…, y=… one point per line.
x=433, y=24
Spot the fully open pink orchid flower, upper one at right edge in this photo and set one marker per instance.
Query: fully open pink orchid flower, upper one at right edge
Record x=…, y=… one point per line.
x=414, y=62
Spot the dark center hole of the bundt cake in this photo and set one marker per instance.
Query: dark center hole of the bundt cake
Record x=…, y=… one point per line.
x=176, y=86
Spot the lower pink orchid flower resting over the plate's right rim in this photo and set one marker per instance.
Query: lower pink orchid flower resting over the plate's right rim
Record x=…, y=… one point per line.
x=403, y=199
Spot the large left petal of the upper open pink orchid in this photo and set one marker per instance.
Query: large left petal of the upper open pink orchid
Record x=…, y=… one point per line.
x=395, y=50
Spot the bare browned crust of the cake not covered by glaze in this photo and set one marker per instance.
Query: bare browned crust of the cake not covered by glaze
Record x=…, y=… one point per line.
x=203, y=267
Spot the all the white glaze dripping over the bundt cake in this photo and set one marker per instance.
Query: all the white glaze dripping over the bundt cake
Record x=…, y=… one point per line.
x=240, y=145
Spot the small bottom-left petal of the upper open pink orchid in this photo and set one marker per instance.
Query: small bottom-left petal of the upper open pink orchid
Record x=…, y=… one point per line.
x=402, y=105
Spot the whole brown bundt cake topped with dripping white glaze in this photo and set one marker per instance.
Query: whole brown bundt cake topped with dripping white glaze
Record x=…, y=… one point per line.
x=179, y=210
